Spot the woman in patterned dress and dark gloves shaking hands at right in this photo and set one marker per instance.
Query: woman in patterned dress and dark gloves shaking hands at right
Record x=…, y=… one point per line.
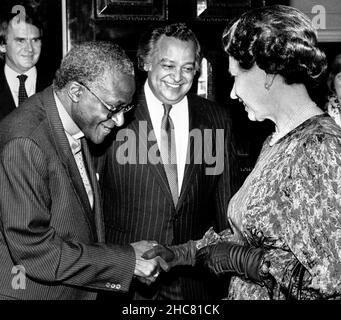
x=285, y=236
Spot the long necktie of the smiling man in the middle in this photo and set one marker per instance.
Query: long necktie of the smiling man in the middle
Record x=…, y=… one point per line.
x=168, y=152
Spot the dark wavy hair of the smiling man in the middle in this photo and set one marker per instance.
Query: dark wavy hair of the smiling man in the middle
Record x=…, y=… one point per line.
x=148, y=43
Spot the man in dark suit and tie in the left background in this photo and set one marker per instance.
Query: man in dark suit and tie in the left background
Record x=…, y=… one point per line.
x=20, y=48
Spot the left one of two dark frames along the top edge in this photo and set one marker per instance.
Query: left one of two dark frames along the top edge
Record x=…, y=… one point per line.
x=131, y=9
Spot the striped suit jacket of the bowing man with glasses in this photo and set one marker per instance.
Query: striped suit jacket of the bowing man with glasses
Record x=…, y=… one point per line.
x=47, y=224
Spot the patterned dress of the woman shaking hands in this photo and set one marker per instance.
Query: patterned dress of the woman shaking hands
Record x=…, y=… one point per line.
x=290, y=204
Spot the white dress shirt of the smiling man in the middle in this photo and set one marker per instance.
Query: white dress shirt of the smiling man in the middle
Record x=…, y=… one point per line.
x=180, y=118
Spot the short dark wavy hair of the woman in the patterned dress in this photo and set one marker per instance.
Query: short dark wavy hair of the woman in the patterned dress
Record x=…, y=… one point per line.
x=280, y=40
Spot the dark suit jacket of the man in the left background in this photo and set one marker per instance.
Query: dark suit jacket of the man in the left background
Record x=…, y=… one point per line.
x=6, y=99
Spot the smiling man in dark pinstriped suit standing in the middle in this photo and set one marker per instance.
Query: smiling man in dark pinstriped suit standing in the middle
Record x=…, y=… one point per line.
x=172, y=200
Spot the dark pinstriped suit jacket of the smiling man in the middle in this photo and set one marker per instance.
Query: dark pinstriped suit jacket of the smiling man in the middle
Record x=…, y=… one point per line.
x=137, y=201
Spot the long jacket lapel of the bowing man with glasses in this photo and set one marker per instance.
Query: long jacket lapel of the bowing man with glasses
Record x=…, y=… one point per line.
x=65, y=155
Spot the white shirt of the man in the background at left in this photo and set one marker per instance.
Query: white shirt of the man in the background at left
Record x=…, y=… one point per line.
x=13, y=82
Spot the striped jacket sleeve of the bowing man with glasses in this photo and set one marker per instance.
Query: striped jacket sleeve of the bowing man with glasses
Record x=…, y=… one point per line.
x=26, y=208
